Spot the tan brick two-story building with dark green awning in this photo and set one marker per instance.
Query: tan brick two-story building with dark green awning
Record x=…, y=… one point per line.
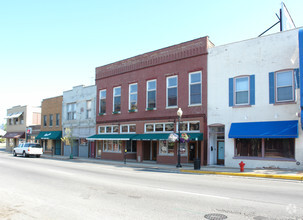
x=51, y=127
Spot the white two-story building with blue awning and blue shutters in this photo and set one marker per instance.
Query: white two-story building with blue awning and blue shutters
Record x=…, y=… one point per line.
x=254, y=102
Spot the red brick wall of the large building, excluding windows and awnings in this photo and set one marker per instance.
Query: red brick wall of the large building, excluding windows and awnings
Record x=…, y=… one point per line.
x=178, y=60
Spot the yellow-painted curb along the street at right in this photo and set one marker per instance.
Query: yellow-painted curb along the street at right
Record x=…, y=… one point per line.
x=273, y=176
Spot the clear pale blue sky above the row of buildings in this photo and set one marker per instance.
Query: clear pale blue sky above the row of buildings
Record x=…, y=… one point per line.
x=50, y=46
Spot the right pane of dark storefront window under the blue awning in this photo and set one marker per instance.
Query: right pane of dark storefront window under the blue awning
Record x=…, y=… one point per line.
x=279, y=148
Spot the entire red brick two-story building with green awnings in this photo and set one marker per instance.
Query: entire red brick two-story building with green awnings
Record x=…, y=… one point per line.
x=138, y=99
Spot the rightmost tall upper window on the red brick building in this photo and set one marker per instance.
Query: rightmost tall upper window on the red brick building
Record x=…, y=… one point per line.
x=195, y=88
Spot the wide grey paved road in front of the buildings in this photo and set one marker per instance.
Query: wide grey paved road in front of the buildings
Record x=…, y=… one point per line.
x=37, y=188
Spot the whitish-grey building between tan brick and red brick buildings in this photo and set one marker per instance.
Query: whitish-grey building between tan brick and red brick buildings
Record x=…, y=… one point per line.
x=79, y=115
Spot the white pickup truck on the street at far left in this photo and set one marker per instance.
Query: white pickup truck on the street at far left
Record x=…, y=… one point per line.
x=28, y=149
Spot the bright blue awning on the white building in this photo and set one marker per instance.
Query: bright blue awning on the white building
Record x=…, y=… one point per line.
x=270, y=129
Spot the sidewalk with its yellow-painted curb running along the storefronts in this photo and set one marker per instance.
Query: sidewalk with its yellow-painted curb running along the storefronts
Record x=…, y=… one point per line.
x=189, y=168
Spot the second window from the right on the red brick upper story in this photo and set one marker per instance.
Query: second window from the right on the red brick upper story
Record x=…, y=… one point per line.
x=172, y=91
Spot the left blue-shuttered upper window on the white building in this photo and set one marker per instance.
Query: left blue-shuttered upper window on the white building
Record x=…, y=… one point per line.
x=242, y=91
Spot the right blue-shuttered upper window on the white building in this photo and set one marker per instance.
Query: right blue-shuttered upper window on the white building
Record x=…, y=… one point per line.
x=282, y=86
